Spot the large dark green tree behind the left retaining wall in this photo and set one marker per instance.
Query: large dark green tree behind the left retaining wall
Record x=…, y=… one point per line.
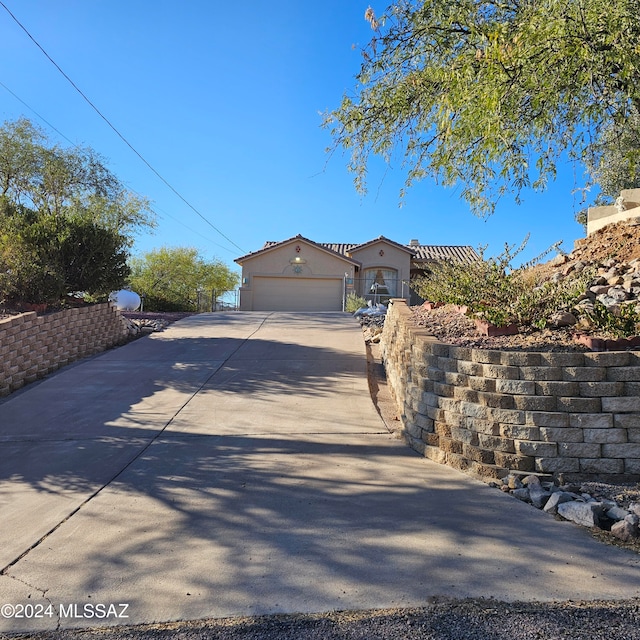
x=66, y=222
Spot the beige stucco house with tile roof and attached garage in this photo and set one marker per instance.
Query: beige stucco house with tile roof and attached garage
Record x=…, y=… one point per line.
x=299, y=274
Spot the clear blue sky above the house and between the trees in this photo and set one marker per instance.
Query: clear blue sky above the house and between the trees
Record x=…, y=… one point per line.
x=224, y=100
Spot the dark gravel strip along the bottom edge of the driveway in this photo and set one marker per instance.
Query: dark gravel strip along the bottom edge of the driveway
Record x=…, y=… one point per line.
x=438, y=620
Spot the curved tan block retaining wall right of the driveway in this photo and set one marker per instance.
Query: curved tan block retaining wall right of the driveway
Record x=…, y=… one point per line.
x=575, y=416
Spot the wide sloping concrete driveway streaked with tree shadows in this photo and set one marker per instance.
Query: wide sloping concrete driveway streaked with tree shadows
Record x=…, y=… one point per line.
x=234, y=465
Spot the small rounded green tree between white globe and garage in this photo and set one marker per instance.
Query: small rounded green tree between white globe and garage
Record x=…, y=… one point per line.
x=171, y=277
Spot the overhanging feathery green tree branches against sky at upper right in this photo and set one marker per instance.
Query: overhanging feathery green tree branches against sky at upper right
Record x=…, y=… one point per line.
x=491, y=94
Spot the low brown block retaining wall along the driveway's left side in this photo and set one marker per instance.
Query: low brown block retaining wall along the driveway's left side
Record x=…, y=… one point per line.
x=33, y=346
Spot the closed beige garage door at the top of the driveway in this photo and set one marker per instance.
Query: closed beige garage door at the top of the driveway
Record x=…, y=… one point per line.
x=297, y=294
